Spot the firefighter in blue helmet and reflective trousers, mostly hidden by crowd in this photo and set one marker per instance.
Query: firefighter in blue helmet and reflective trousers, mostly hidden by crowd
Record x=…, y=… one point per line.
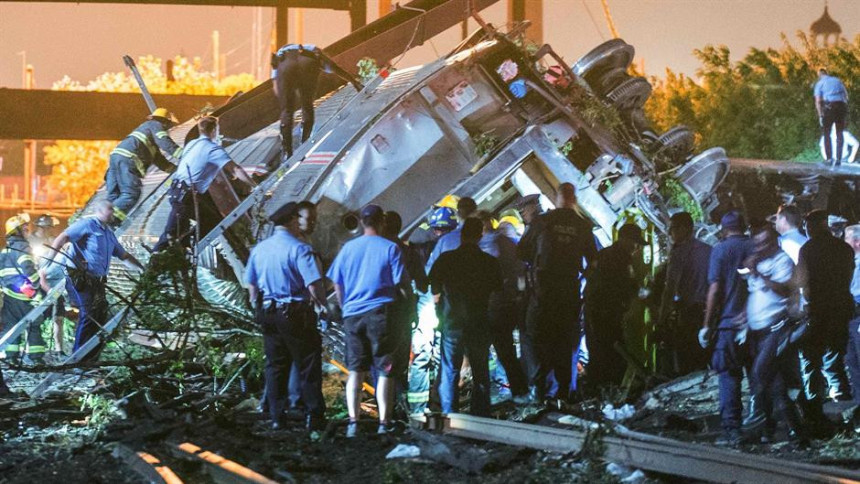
x=425, y=349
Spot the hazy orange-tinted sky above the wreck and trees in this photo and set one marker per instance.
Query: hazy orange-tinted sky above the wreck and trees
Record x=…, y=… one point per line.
x=84, y=40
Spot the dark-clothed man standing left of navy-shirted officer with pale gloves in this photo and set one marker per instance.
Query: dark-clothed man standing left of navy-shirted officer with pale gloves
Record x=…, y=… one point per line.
x=682, y=306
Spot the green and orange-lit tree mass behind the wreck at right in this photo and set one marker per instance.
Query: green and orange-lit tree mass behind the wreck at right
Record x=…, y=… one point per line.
x=760, y=106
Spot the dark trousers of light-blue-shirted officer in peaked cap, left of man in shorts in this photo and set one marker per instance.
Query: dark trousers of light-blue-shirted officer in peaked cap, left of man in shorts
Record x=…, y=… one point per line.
x=290, y=335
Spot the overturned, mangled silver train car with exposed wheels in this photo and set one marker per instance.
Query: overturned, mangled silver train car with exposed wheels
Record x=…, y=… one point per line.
x=408, y=139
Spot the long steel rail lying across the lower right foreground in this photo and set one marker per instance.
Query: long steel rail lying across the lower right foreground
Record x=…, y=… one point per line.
x=645, y=452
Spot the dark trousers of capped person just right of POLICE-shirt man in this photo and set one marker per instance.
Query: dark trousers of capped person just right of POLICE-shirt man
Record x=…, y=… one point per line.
x=603, y=329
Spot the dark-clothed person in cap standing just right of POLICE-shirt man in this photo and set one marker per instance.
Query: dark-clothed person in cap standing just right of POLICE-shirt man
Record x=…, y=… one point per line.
x=609, y=293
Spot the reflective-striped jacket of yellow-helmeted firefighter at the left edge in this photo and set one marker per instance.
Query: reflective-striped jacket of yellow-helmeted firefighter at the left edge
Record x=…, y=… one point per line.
x=19, y=276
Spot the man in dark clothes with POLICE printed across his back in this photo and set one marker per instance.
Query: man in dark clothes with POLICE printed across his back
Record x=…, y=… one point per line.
x=555, y=245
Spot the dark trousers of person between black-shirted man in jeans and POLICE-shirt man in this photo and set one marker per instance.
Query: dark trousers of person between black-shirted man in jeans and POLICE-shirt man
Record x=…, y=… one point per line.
x=503, y=319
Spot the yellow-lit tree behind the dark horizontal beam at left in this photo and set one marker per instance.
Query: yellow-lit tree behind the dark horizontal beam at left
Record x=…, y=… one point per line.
x=79, y=166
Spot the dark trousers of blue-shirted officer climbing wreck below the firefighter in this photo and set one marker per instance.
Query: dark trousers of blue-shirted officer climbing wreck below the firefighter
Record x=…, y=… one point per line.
x=182, y=211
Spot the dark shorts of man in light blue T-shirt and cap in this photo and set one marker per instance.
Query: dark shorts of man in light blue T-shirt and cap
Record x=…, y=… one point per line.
x=372, y=338
